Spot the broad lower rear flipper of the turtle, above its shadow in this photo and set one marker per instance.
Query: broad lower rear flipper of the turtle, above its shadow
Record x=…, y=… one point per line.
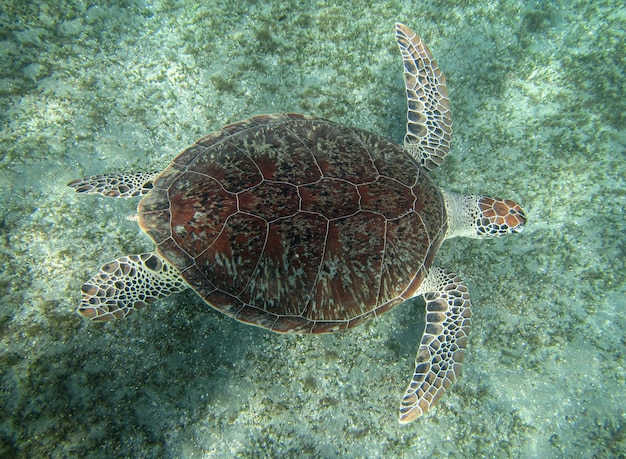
x=127, y=284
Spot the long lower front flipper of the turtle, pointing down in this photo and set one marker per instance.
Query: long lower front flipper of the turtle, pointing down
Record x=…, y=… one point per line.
x=438, y=361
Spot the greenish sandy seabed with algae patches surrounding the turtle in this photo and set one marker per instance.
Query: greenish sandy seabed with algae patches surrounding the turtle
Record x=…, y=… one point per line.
x=537, y=93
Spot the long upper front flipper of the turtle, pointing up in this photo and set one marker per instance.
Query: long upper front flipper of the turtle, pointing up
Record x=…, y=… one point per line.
x=429, y=121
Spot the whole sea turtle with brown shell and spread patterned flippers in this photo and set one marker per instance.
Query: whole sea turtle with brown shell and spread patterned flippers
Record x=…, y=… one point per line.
x=301, y=225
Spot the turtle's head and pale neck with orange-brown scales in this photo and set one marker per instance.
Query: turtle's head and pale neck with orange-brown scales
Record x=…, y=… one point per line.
x=482, y=216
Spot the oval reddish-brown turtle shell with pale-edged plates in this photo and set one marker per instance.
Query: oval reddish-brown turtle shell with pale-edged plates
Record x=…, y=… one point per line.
x=296, y=224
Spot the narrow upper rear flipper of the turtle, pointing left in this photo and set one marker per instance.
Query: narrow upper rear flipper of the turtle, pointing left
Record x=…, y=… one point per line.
x=115, y=185
